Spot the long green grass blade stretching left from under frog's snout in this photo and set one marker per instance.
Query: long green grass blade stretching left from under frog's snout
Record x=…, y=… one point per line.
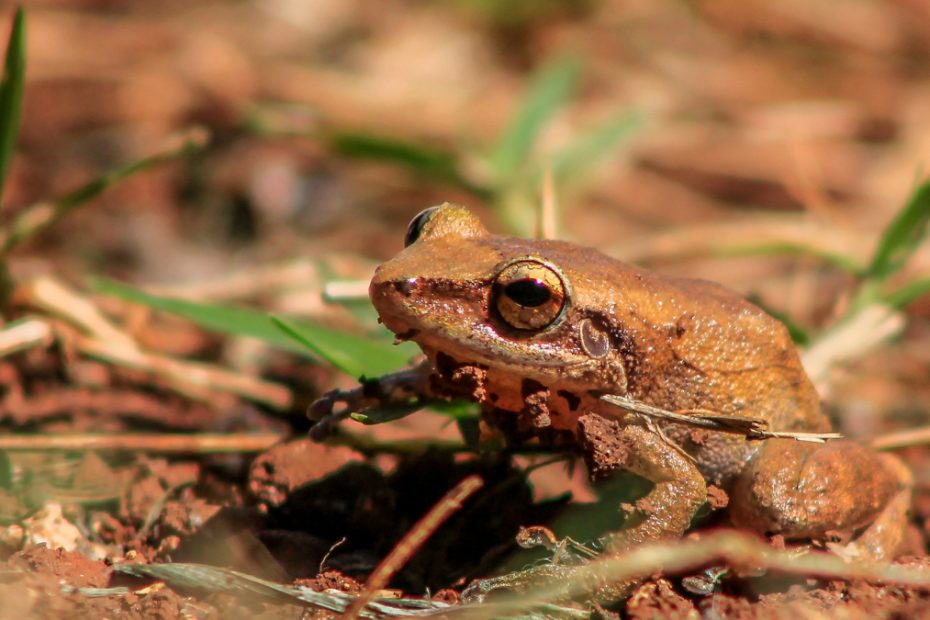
x=355, y=355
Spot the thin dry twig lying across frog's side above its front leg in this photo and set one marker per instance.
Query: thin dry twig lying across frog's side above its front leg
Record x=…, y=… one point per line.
x=751, y=428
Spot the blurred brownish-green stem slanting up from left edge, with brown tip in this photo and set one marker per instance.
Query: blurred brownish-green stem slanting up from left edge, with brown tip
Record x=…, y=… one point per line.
x=40, y=216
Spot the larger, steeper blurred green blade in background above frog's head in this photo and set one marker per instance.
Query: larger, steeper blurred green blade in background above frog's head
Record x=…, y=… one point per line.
x=548, y=91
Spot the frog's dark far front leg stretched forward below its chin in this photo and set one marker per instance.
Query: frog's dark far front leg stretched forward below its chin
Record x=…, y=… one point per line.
x=409, y=388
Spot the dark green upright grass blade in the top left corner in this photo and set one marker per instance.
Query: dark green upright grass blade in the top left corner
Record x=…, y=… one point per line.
x=11, y=93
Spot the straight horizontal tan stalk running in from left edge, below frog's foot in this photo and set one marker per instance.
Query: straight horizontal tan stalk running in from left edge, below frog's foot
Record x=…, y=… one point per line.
x=162, y=443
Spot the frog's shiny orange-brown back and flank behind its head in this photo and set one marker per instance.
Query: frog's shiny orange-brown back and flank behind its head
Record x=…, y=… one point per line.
x=692, y=343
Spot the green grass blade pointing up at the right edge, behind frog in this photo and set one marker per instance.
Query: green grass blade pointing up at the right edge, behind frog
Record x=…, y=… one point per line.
x=902, y=236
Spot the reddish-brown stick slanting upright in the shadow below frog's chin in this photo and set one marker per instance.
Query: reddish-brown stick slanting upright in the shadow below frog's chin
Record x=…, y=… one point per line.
x=413, y=540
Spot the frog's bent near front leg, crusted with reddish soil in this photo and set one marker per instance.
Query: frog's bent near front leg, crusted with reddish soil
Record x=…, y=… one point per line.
x=679, y=488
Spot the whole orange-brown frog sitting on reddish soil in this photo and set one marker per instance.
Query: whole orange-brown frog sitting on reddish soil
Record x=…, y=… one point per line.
x=538, y=332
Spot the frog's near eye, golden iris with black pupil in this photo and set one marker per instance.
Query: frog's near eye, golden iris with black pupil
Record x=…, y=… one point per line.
x=529, y=295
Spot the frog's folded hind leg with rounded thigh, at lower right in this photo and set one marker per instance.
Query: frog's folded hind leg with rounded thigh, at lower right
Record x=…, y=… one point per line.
x=804, y=490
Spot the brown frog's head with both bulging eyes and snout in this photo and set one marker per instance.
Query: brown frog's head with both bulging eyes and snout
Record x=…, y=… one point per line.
x=502, y=302
